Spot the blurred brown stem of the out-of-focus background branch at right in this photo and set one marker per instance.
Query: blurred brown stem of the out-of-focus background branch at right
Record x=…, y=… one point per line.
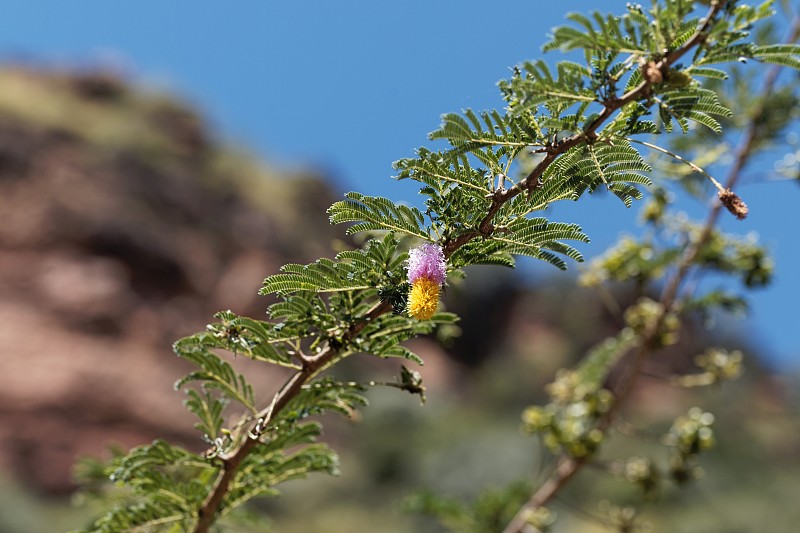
x=568, y=466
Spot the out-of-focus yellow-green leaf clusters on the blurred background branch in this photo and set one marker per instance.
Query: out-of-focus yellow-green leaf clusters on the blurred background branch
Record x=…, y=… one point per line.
x=576, y=420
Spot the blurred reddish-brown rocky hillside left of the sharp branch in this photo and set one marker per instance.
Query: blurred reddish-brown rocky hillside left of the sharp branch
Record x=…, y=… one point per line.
x=125, y=225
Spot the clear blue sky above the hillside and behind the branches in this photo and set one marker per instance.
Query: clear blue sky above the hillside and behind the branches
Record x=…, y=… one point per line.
x=349, y=87
